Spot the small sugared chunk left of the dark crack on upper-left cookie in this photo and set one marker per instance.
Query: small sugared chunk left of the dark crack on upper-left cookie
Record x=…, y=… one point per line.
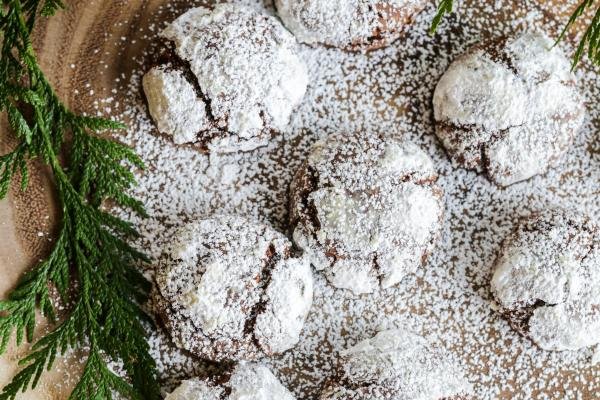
x=174, y=105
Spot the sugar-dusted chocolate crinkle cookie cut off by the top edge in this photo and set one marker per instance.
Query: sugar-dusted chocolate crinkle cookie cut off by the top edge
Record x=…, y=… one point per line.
x=348, y=24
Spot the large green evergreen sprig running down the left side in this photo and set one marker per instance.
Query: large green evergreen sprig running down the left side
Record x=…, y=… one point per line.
x=92, y=266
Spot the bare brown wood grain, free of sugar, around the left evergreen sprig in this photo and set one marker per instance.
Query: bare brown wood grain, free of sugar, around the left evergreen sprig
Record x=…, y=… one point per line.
x=86, y=51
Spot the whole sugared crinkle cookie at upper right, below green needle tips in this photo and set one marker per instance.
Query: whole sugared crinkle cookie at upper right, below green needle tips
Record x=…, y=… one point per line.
x=509, y=108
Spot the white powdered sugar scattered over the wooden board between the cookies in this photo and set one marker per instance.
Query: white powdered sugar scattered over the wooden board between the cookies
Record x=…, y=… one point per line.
x=389, y=91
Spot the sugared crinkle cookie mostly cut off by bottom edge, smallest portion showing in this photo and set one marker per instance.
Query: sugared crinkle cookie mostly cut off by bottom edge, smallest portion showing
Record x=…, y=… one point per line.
x=247, y=381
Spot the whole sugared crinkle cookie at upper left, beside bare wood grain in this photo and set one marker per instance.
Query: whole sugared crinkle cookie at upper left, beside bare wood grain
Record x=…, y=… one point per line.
x=226, y=79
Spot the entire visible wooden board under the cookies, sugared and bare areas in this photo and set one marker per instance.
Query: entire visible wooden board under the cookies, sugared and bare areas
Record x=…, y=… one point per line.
x=95, y=54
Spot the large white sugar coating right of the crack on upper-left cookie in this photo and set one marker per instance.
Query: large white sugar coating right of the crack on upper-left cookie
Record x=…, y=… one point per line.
x=248, y=71
